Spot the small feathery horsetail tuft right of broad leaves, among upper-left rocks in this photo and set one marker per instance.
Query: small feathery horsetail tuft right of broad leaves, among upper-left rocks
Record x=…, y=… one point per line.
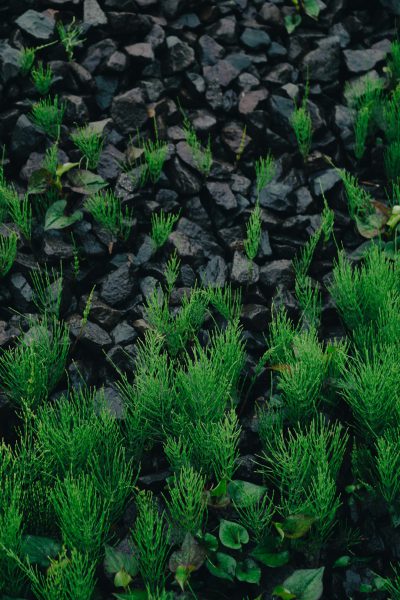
x=106, y=209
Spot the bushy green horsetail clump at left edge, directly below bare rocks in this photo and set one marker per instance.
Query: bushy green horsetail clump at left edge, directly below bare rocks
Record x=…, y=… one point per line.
x=30, y=371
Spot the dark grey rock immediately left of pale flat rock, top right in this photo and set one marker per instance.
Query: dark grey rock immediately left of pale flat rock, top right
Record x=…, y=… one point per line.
x=322, y=64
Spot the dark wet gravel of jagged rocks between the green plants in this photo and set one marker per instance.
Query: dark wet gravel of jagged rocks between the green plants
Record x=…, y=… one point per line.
x=236, y=72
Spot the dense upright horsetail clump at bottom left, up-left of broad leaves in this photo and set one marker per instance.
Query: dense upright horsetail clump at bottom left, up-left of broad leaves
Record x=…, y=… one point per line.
x=82, y=514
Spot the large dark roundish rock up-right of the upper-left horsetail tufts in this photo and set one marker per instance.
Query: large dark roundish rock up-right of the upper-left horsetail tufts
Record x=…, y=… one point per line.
x=129, y=111
